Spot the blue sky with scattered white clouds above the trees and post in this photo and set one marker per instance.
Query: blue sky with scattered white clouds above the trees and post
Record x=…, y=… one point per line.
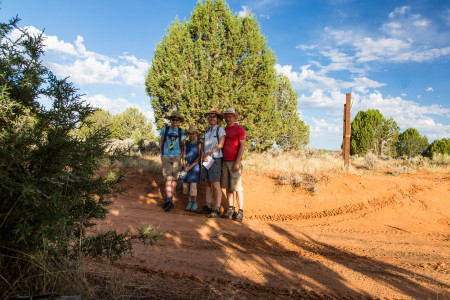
x=391, y=55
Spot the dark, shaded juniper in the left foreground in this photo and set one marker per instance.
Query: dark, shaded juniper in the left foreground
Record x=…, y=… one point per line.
x=50, y=187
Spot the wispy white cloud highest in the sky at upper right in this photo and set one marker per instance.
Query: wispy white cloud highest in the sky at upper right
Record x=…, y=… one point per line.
x=404, y=37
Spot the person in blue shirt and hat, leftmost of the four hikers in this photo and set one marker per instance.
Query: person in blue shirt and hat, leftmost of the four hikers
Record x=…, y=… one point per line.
x=171, y=145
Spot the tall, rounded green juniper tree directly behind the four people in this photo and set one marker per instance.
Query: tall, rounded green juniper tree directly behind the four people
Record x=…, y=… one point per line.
x=218, y=60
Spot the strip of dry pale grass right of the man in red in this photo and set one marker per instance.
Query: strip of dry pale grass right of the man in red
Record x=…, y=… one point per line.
x=308, y=167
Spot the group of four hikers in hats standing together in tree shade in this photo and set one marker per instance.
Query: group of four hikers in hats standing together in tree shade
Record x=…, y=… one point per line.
x=216, y=161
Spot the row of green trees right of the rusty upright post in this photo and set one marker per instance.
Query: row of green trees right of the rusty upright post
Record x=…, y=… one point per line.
x=372, y=132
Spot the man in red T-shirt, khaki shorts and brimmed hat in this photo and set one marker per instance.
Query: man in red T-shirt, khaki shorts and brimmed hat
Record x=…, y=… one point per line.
x=233, y=150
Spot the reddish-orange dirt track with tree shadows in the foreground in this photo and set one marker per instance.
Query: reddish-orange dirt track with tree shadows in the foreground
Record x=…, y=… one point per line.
x=369, y=236
